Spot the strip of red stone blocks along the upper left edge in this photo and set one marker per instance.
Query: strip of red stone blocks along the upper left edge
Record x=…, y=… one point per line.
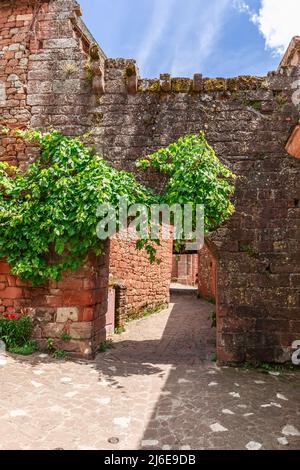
x=16, y=45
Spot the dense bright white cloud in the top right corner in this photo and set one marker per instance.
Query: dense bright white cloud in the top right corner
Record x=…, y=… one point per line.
x=277, y=20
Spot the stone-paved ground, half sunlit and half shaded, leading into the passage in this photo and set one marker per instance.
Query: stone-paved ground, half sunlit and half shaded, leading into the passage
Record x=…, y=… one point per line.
x=156, y=389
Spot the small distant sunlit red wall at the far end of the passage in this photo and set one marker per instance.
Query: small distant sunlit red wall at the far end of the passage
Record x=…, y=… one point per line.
x=185, y=269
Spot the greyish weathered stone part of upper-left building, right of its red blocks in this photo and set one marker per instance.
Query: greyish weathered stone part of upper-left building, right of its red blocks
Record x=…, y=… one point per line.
x=59, y=89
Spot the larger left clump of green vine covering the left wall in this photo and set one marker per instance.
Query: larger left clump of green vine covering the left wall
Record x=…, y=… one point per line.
x=48, y=213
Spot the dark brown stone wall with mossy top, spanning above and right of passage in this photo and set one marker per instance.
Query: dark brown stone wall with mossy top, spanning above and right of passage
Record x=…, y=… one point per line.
x=248, y=121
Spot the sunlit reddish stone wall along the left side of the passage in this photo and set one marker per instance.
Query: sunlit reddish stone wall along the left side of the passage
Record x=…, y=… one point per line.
x=147, y=284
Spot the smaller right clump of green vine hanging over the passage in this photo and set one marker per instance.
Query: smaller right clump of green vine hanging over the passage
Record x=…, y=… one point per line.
x=195, y=176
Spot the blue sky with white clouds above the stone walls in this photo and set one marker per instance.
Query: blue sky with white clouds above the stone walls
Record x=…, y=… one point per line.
x=183, y=37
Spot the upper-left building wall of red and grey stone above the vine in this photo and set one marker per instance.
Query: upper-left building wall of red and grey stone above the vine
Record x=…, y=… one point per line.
x=44, y=79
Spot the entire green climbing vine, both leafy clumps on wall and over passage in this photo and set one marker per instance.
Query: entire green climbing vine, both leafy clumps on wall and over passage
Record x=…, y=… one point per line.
x=48, y=213
